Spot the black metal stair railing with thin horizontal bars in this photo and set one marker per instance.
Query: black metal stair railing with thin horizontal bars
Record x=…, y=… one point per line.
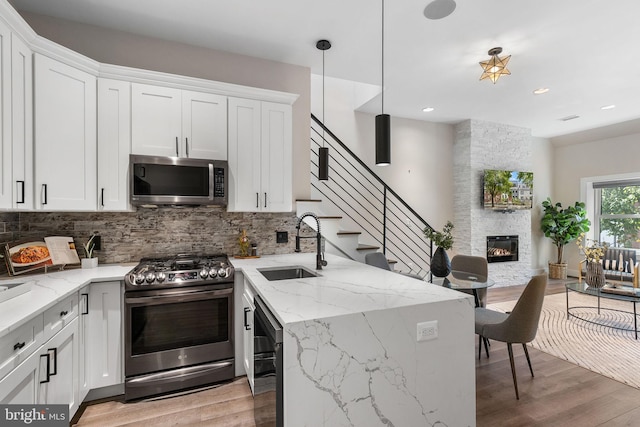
x=363, y=197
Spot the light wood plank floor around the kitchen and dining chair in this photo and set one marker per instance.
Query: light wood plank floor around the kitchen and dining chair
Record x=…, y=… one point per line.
x=561, y=394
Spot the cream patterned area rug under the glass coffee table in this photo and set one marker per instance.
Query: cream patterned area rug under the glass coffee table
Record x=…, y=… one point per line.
x=611, y=352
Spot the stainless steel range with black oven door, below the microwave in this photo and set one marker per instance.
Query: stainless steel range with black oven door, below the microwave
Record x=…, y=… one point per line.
x=178, y=324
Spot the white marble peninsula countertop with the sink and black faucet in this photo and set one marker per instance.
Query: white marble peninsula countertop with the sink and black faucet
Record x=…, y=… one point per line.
x=342, y=287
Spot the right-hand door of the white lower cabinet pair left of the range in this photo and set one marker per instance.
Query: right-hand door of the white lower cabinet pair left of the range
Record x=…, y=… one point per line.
x=63, y=379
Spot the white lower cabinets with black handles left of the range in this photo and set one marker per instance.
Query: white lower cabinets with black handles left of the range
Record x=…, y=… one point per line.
x=82, y=350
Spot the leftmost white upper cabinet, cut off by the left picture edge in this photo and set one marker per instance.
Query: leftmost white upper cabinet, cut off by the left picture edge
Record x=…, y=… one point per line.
x=16, y=134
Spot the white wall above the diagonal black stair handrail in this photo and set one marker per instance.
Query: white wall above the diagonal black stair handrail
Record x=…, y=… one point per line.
x=421, y=152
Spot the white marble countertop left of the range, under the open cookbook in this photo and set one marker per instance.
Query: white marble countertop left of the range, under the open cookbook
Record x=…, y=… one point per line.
x=50, y=288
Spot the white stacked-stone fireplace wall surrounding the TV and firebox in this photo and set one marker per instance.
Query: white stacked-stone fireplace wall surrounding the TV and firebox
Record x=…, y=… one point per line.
x=478, y=146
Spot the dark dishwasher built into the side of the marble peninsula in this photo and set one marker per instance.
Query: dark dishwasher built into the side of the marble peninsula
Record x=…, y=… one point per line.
x=268, y=368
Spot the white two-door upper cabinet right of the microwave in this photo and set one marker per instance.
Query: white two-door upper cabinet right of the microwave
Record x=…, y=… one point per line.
x=260, y=158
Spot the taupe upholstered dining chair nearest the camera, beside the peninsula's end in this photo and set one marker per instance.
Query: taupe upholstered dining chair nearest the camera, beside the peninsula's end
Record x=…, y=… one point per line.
x=518, y=326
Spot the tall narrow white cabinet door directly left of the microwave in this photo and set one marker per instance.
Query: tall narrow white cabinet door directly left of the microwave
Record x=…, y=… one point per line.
x=114, y=144
